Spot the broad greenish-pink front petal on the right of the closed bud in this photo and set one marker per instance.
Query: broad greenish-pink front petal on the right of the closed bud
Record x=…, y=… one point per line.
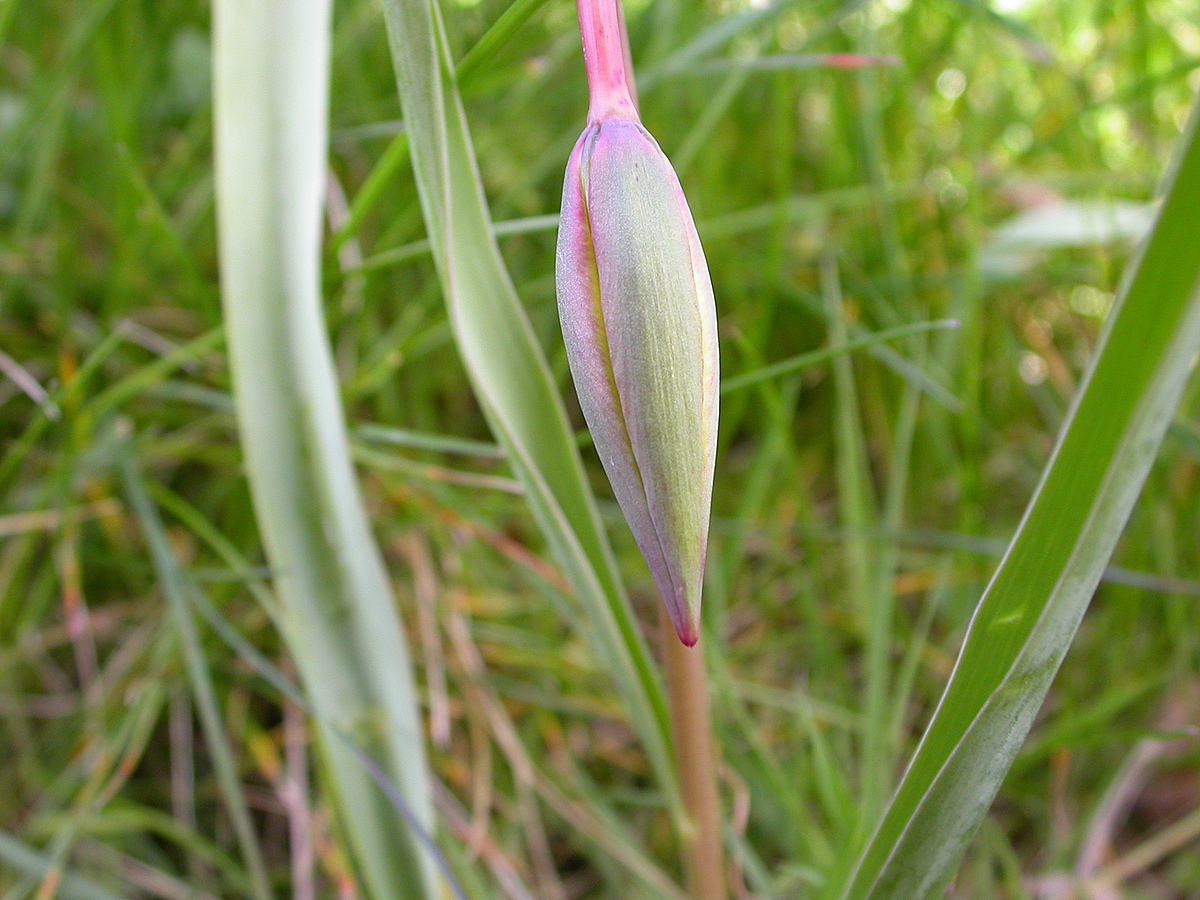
x=659, y=319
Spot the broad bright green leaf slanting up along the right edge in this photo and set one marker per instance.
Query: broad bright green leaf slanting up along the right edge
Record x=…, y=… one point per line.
x=1034, y=605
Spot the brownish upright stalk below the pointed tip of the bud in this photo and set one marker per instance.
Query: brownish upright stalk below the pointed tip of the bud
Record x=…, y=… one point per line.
x=697, y=754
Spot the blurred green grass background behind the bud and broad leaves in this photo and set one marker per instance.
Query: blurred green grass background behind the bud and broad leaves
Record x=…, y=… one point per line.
x=994, y=166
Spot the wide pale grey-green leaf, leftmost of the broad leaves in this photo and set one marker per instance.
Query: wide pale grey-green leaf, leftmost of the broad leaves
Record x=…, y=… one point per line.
x=272, y=95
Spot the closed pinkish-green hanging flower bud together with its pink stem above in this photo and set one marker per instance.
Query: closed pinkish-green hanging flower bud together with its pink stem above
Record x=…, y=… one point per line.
x=640, y=323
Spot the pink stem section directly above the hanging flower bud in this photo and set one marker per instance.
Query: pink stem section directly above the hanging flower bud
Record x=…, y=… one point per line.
x=607, y=61
